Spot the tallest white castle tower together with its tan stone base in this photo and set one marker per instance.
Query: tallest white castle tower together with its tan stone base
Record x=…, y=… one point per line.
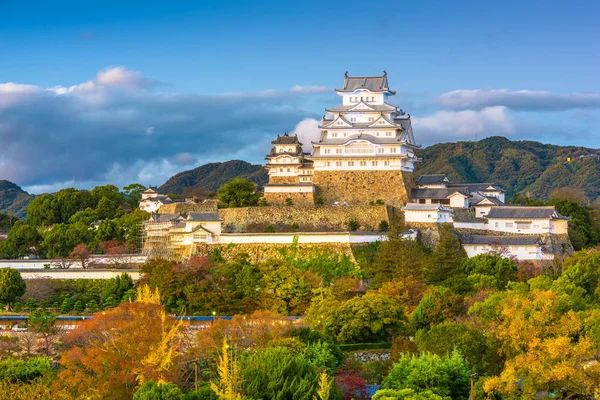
x=366, y=149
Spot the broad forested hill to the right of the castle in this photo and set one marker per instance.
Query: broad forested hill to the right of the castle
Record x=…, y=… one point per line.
x=517, y=166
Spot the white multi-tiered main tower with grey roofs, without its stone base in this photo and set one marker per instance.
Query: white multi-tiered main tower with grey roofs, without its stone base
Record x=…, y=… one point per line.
x=365, y=132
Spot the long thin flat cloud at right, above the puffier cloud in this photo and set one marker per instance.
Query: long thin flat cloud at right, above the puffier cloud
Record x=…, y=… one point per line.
x=522, y=100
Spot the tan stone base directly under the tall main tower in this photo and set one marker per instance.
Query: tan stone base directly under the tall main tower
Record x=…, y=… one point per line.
x=362, y=187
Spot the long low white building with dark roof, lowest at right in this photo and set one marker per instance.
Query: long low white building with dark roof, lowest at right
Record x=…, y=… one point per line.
x=520, y=247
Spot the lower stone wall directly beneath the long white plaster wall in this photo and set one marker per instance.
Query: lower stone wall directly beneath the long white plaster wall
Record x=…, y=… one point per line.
x=260, y=252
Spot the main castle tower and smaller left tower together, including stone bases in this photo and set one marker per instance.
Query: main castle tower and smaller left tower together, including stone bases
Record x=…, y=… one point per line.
x=365, y=152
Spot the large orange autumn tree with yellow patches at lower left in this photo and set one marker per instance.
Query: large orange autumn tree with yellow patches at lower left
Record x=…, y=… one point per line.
x=108, y=355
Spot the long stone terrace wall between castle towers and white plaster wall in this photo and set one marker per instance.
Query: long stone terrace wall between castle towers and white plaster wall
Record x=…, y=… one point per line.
x=306, y=218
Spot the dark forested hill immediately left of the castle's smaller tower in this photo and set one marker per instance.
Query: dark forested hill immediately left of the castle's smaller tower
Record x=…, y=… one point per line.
x=209, y=177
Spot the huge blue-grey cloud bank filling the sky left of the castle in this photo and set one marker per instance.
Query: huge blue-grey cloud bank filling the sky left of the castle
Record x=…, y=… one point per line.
x=107, y=130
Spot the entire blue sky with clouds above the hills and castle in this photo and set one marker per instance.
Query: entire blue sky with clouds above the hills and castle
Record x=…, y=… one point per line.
x=141, y=90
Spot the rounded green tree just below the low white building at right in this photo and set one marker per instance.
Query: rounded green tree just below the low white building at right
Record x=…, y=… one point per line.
x=487, y=271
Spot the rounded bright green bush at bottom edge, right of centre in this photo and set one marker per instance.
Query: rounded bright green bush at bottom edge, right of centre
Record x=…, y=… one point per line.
x=445, y=376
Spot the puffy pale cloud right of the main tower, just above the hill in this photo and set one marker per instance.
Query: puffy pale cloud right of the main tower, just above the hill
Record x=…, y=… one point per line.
x=457, y=125
